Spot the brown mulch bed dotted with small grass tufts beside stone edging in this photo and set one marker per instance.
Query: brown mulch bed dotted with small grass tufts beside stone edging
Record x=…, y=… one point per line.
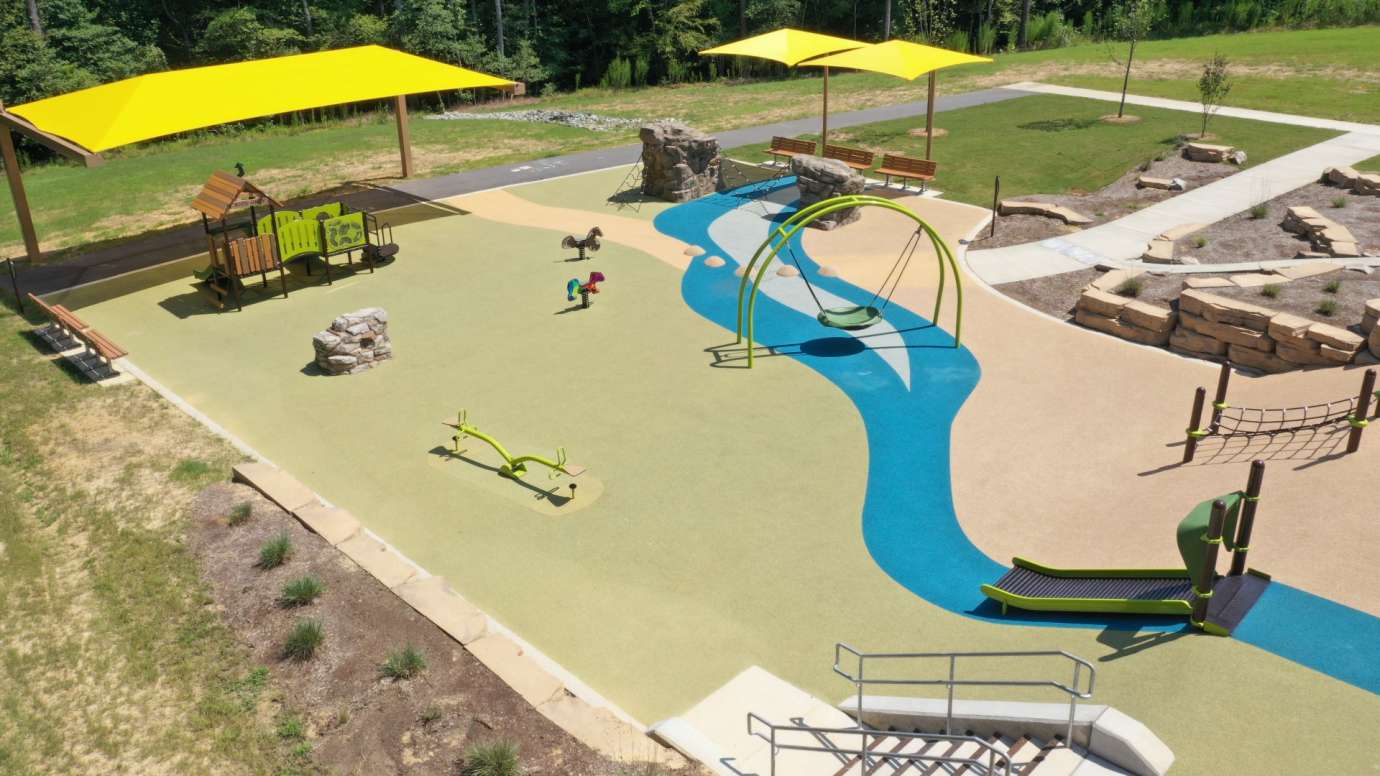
x=357, y=721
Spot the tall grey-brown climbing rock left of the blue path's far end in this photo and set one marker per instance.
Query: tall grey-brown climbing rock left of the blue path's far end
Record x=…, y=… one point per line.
x=678, y=162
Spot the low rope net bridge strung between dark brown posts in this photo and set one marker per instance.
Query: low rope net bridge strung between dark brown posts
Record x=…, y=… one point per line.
x=1270, y=422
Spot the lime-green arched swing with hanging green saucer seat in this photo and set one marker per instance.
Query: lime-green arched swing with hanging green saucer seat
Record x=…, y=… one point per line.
x=852, y=317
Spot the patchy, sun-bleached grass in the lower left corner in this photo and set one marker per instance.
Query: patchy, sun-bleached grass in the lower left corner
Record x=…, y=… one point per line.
x=111, y=659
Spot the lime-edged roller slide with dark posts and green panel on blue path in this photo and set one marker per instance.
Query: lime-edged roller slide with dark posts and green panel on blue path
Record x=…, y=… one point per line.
x=1212, y=603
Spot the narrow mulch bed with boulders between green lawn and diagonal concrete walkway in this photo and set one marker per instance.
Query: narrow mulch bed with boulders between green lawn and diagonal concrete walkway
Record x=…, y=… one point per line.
x=1106, y=205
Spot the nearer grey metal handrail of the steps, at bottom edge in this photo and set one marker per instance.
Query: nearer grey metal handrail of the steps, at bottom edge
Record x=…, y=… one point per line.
x=998, y=760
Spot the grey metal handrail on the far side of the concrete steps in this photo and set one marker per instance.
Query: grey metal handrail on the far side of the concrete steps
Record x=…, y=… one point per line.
x=862, y=680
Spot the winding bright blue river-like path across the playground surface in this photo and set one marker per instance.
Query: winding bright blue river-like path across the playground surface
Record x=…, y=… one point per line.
x=909, y=520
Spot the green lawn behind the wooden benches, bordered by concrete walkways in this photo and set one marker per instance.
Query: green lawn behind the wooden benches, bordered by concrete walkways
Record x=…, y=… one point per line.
x=1054, y=144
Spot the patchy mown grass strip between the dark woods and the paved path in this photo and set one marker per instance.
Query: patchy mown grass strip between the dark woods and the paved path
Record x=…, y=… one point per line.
x=1328, y=72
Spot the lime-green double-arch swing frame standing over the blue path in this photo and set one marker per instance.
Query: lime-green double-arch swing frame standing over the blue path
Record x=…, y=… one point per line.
x=844, y=318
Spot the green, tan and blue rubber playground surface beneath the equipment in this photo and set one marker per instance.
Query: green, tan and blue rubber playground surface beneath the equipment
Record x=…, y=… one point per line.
x=851, y=488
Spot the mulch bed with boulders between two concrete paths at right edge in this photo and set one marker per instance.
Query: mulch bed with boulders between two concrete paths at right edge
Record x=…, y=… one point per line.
x=1245, y=238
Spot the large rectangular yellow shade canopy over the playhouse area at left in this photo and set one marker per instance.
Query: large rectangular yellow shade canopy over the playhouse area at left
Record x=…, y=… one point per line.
x=176, y=101
